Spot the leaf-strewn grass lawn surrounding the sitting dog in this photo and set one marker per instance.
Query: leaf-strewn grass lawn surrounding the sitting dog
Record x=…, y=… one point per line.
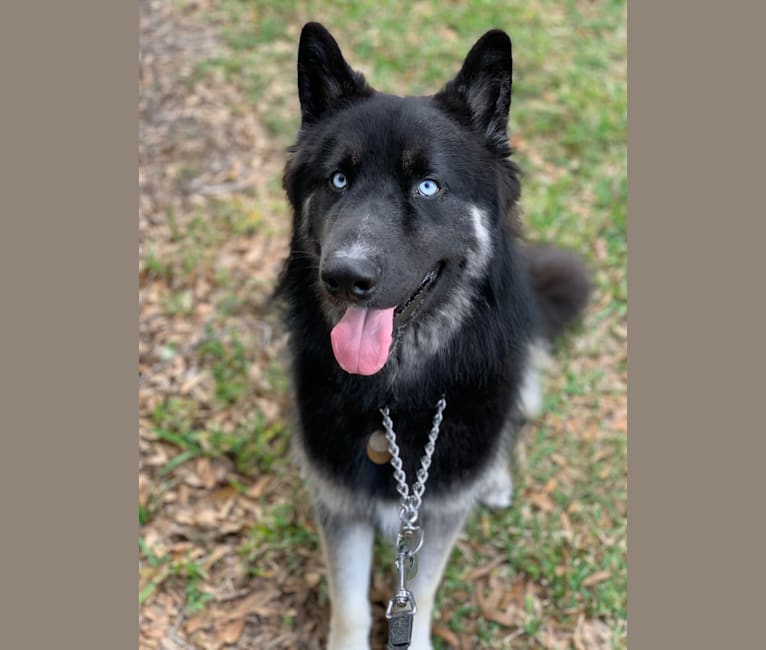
x=225, y=521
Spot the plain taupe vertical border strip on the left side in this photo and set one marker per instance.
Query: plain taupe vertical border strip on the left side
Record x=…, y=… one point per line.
x=68, y=260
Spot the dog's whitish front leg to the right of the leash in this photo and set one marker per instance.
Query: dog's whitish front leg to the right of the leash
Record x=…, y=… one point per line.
x=440, y=533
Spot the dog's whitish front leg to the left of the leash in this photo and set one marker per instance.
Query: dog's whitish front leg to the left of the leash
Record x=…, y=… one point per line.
x=347, y=546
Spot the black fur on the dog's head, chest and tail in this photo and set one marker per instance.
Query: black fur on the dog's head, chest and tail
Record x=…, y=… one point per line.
x=524, y=293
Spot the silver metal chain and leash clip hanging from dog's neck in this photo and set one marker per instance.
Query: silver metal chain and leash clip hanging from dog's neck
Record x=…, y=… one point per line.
x=401, y=608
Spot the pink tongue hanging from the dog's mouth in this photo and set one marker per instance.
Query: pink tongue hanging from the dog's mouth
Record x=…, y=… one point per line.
x=362, y=338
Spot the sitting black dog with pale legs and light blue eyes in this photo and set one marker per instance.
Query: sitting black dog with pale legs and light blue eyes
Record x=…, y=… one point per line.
x=408, y=279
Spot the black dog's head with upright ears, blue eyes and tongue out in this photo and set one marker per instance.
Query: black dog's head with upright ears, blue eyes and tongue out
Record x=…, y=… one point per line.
x=397, y=200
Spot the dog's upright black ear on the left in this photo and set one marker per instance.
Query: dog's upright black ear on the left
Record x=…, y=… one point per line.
x=325, y=81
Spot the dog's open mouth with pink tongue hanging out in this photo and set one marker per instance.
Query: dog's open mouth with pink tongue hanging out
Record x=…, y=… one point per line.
x=364, y=336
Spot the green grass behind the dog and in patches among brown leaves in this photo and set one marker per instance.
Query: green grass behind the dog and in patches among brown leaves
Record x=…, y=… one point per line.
x=568, y=126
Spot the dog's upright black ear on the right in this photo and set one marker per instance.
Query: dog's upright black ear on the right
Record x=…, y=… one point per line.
x=480, y=94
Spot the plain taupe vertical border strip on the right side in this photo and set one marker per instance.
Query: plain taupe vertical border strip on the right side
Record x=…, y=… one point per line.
x=696, y=165
